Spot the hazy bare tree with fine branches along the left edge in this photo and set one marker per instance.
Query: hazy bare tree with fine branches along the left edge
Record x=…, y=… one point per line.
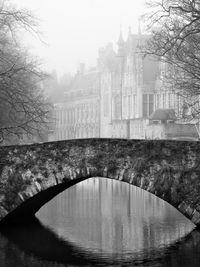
x=22, y=105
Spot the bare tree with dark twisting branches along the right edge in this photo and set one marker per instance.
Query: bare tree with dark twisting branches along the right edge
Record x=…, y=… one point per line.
x=175, y=30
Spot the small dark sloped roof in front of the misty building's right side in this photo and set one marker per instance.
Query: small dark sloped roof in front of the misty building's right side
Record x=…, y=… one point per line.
x=163, y=115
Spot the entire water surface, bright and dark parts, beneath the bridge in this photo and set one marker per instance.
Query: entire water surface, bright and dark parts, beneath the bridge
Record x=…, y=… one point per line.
x=102, y=222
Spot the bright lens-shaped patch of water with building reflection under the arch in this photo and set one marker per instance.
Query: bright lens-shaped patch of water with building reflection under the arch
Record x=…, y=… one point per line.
x=109, y=216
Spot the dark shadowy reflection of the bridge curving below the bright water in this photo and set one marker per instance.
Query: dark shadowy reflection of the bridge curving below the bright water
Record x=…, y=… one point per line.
x=67, y=253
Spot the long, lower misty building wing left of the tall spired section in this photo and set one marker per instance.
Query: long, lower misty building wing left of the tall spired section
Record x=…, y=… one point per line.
x=78, y=116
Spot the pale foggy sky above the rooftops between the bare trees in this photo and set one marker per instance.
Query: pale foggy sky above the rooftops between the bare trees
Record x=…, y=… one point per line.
x=74, y=30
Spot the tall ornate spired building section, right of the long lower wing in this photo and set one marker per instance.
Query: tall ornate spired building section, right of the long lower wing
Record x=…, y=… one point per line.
x=132, y=85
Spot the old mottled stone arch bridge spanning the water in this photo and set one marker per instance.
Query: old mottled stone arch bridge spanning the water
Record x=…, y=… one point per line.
x=31, y=175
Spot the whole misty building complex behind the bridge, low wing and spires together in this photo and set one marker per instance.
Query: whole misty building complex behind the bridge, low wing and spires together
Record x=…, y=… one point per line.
x=123, y=97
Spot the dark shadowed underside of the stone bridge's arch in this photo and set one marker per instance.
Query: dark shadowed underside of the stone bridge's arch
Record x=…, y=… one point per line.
x=25, y=212
